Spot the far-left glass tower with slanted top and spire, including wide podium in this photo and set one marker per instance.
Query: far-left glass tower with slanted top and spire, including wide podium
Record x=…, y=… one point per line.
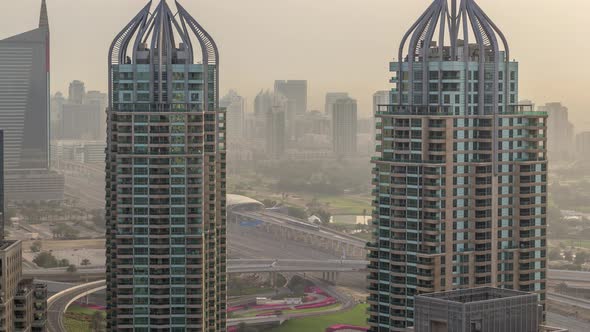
x=24, y=115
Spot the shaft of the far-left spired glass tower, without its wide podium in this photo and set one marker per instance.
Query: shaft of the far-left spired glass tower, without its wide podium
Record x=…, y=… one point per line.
x=24, y=97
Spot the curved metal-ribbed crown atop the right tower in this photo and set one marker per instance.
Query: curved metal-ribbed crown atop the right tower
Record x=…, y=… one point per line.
x=448, y=31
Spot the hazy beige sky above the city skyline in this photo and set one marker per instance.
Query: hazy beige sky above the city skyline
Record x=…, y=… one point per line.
x=338, y=45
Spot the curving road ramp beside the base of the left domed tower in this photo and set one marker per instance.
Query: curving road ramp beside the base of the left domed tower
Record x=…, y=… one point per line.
x=58, y=304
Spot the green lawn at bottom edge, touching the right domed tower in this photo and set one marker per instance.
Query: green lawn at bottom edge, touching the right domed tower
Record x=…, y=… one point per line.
x=357, y=316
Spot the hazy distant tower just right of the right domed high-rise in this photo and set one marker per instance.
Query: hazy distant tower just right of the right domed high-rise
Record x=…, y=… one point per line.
x=561, y=132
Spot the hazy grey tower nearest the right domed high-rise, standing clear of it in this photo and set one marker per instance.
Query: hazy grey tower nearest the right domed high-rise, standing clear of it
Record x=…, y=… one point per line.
x=344, y=127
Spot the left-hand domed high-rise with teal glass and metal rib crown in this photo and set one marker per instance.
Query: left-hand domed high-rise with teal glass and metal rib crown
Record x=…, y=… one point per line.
x=165, y=200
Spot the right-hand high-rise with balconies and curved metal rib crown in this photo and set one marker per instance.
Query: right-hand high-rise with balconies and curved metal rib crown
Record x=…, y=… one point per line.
x=460, y=177
